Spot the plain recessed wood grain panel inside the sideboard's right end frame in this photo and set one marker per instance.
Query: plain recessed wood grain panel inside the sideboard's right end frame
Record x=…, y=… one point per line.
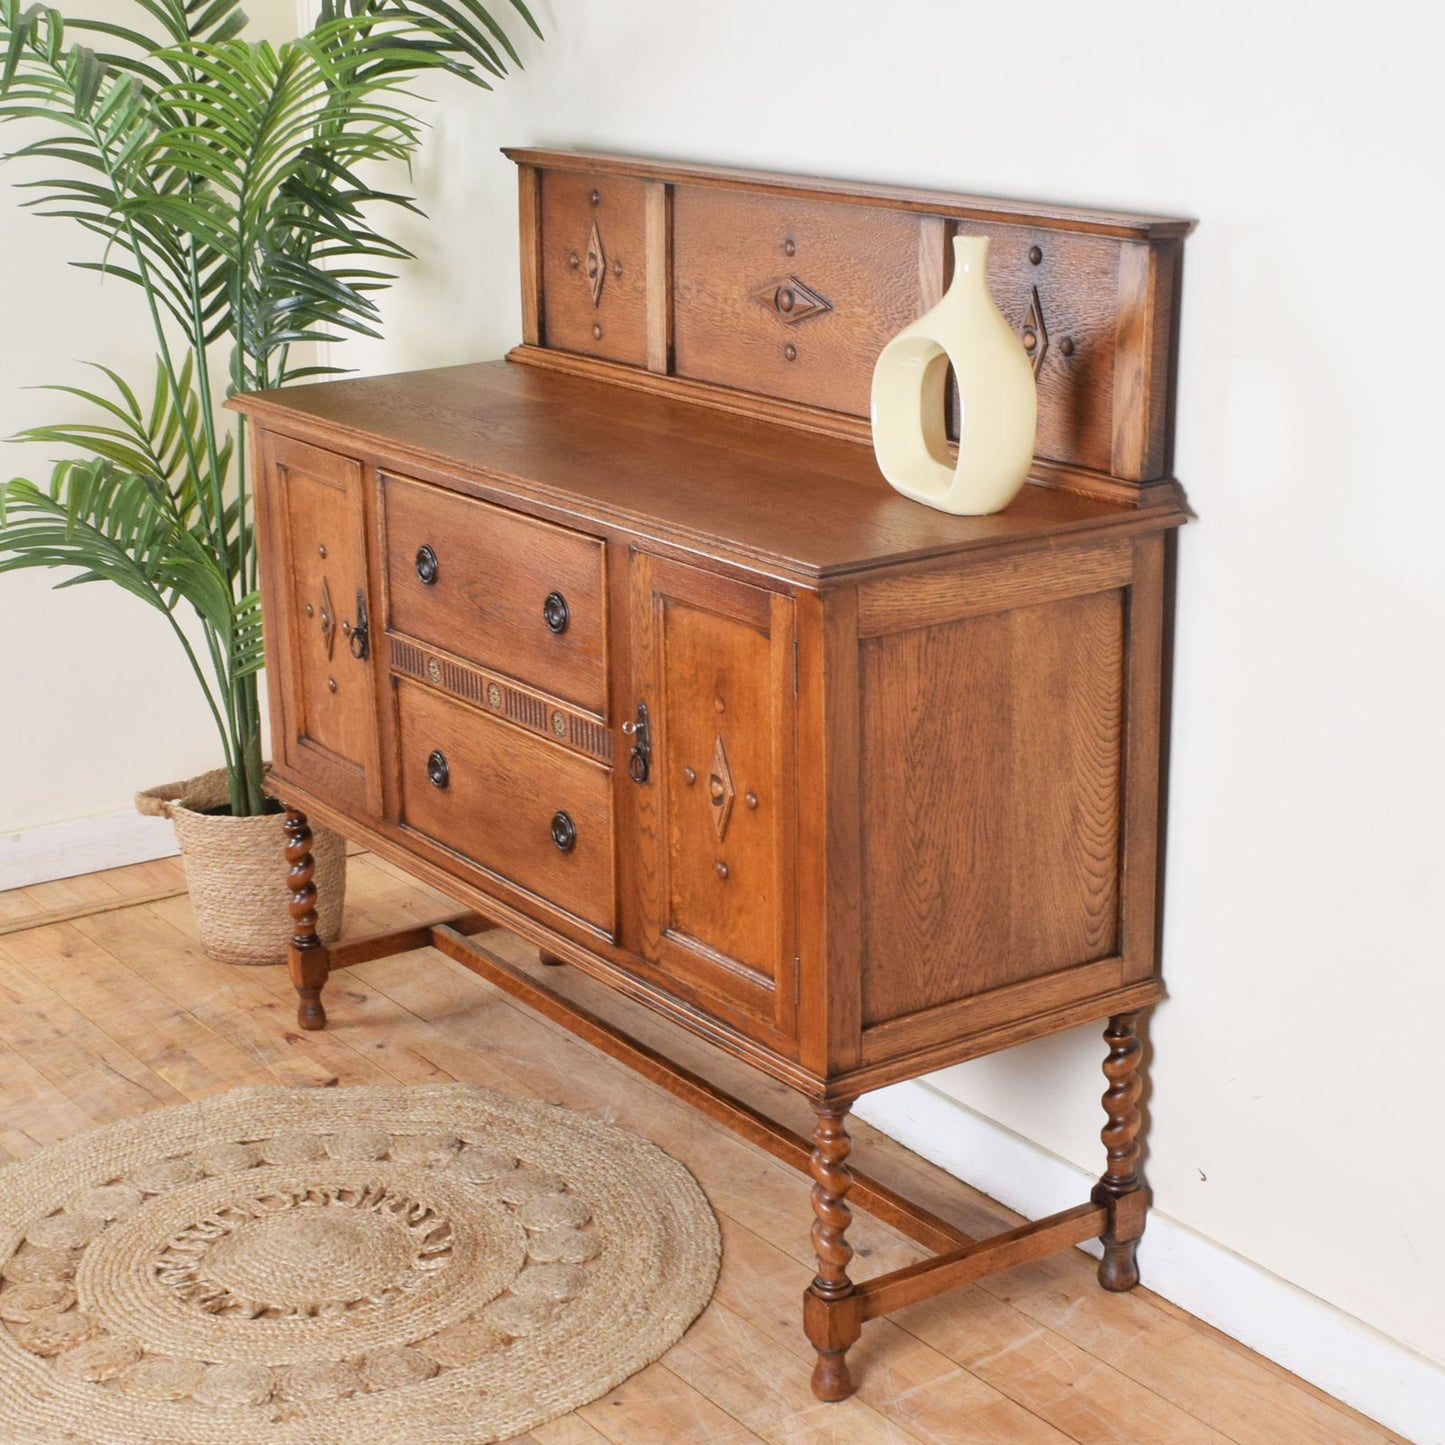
x=991, y=801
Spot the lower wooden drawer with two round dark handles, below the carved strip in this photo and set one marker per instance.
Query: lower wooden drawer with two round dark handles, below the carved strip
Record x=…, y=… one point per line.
x=505, y=801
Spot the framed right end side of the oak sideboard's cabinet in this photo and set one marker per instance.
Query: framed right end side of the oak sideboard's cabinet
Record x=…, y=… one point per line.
x=1009, y=752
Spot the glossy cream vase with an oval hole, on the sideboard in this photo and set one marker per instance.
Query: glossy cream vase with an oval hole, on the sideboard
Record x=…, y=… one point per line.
x=998, y=398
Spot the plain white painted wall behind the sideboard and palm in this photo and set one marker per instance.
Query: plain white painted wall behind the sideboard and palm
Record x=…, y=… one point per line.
x=1298, y=1079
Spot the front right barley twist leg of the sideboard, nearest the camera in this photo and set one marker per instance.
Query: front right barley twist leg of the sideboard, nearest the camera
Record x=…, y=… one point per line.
x=832, y=1310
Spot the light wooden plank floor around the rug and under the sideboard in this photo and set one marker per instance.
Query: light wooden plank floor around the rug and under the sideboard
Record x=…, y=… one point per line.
x=108, y=1008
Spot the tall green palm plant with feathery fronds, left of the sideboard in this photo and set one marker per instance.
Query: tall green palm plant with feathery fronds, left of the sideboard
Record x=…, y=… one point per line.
x=232, y=184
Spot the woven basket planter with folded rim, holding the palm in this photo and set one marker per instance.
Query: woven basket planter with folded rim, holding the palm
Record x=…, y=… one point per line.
x=236, y=872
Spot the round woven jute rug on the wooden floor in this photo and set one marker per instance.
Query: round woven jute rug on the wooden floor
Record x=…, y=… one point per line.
x=434, y=1267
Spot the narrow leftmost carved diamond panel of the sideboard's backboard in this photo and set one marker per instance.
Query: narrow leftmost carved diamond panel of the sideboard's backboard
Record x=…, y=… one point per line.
x=595, y=301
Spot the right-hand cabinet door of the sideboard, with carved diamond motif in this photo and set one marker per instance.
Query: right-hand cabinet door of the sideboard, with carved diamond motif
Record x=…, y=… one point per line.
x=716, y=671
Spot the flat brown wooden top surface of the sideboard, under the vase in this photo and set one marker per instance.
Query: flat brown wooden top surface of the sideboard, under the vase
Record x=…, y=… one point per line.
x=769, y=493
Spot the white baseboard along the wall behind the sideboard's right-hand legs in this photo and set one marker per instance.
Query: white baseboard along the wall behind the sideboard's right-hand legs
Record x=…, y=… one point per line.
x=1375, y=1375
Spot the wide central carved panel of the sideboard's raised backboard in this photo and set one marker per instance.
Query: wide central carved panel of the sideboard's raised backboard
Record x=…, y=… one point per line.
x=743, y=269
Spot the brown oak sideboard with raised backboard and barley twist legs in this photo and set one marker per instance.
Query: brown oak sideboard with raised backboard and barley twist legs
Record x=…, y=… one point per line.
x=626, y=644
